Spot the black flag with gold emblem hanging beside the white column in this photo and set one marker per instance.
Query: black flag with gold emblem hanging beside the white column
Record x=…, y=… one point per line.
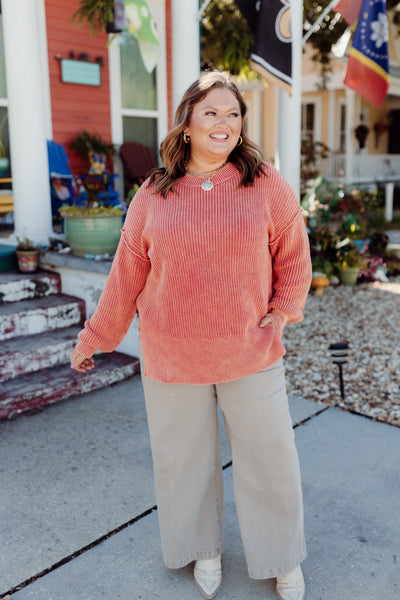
x=272, y=52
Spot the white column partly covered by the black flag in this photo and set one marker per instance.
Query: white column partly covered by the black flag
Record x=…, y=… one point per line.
x=289, y=133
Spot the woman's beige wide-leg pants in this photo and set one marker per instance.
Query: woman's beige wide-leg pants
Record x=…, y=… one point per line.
x=186, y=452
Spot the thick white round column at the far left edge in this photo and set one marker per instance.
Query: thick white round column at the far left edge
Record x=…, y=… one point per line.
x=27, y=120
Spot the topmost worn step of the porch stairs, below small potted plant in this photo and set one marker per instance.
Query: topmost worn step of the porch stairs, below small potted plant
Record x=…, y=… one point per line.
x=16, y=286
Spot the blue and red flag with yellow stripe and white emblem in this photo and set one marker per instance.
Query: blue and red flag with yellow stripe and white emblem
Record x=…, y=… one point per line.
x=368, y=65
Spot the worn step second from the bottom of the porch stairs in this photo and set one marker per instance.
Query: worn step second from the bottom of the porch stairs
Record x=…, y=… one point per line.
x=23, y=355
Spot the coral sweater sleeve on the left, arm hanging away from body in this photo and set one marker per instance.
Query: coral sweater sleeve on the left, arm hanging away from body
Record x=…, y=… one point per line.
x=117, y=305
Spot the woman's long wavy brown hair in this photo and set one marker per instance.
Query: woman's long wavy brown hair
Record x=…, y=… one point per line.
x=175, y=153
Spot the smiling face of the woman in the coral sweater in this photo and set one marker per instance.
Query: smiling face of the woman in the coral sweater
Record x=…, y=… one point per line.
x=215, y=126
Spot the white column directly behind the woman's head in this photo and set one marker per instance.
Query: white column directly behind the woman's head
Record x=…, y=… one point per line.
x=185, y=46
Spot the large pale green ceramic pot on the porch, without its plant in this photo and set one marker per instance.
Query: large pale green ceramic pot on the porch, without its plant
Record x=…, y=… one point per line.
x=93, y=234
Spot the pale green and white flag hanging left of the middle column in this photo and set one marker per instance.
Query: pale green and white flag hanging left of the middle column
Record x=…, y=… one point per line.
x=140, y=24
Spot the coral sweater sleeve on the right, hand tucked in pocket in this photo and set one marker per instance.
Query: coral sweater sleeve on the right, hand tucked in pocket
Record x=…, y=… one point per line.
x=290, y=253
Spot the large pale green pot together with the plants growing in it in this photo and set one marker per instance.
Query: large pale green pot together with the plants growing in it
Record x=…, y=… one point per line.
x=92, y=225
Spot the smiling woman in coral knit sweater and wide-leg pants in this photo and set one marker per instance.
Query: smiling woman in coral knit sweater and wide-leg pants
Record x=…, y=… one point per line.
x=215, y=257
